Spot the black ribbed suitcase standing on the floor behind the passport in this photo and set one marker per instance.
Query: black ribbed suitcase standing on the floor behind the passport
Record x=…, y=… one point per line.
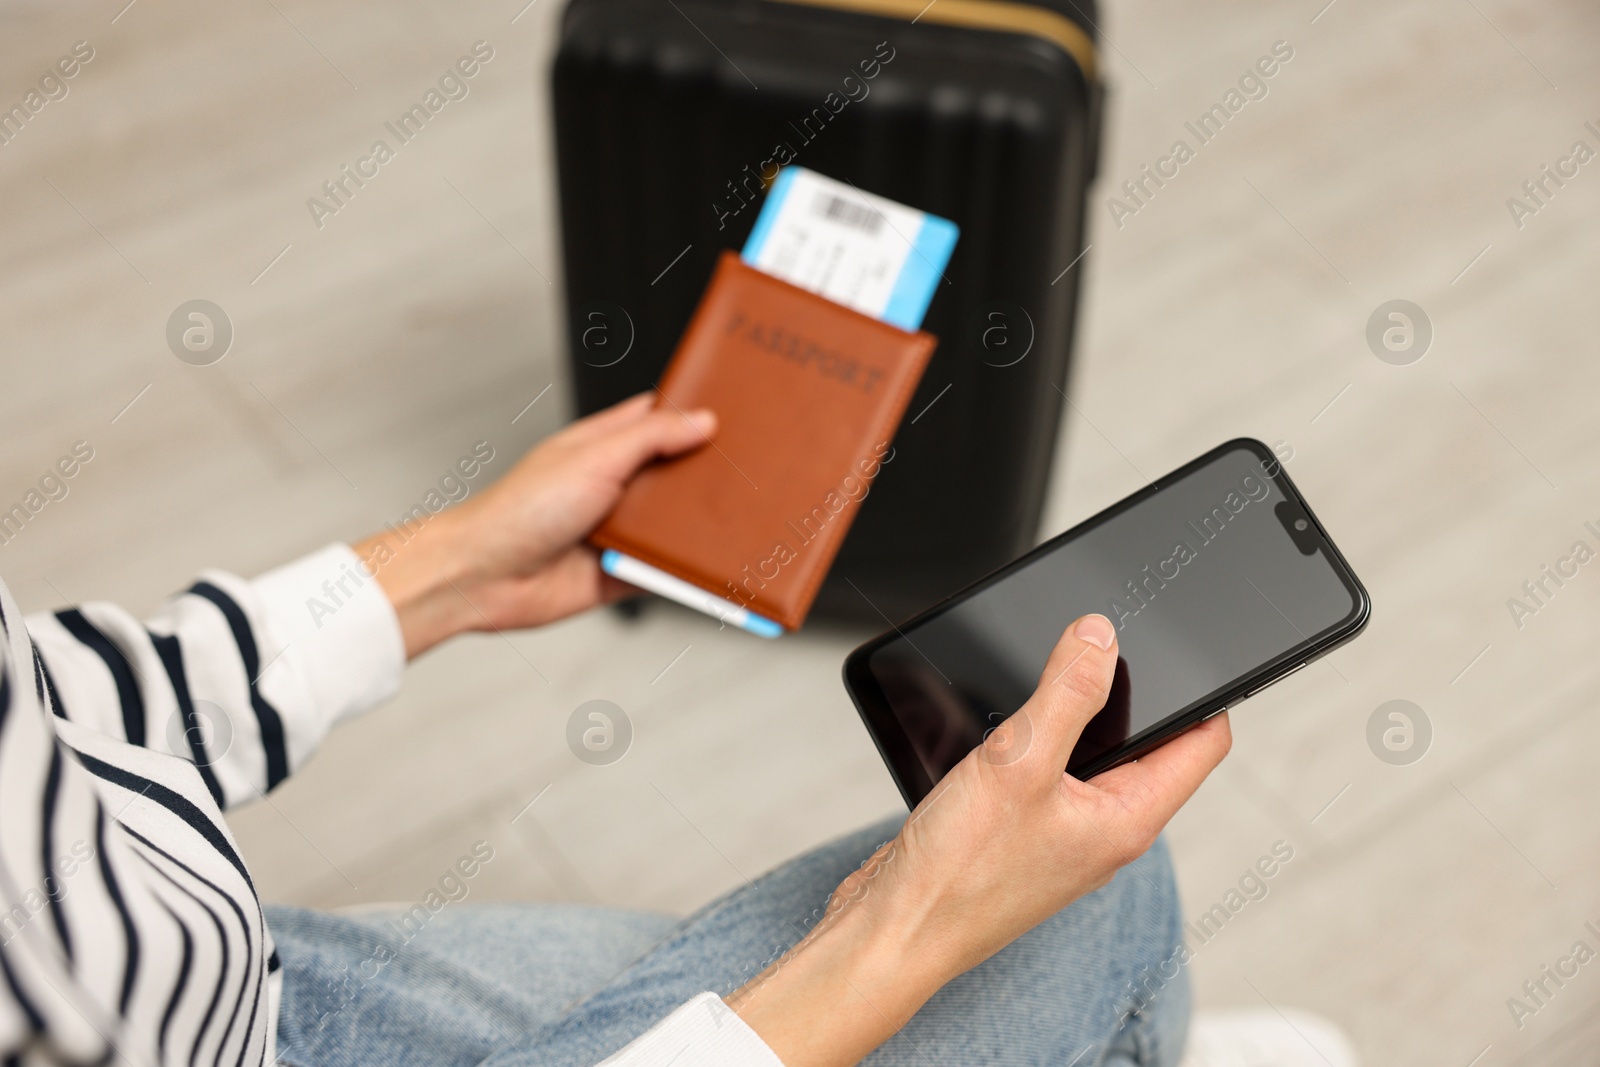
x=670, y=114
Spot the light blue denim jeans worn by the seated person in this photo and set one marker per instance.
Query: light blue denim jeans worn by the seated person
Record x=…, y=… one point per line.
x=566, y=986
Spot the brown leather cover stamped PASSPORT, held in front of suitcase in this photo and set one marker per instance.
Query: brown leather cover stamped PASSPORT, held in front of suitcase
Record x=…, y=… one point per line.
x=809, y=396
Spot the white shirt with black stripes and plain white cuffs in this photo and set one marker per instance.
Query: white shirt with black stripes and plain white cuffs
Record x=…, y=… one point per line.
x=130, y=927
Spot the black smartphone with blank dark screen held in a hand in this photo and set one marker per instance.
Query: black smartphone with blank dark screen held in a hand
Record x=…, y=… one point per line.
x=1218, y=578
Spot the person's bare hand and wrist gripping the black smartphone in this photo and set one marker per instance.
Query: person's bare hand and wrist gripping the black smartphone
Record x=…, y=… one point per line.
x=1004, y=842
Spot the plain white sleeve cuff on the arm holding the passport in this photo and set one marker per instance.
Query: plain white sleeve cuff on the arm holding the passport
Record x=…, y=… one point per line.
x=342, y=628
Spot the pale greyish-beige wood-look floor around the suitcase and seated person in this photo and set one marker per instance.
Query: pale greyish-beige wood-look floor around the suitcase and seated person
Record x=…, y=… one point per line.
x=422, y=319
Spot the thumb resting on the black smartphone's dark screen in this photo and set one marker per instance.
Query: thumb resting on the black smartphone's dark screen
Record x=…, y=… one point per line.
x=1073, y=687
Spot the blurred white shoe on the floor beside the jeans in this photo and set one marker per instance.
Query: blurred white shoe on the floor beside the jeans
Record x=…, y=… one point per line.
x=1266, y=1039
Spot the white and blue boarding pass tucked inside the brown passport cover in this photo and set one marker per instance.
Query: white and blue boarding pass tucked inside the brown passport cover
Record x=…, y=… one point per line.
x=865, y=252
